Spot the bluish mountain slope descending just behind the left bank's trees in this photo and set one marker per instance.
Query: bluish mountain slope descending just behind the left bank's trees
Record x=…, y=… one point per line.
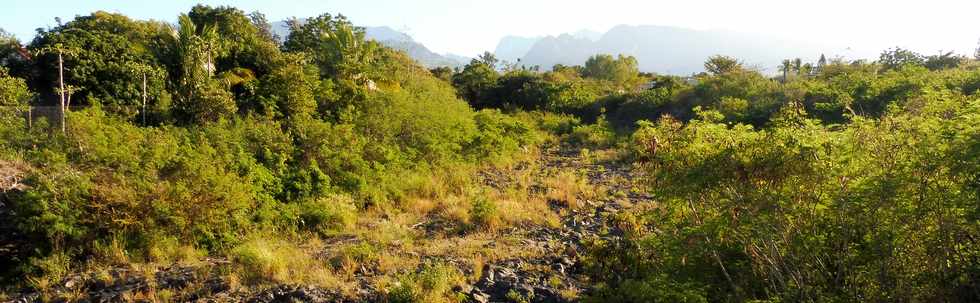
x=397, y=40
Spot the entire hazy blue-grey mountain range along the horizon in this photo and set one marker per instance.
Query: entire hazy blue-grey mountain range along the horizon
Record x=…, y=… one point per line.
x=660, y=49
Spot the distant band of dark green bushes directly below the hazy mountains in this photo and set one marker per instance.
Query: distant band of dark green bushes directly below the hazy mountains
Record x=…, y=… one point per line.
x=833, y=94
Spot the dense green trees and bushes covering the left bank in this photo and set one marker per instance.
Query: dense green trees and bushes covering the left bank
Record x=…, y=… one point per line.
x=255, y=140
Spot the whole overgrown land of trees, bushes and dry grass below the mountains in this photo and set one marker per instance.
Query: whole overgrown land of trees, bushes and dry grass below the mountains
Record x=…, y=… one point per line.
x=326, y=159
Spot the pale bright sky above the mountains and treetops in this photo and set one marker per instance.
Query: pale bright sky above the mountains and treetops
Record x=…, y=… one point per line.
x=468, y=27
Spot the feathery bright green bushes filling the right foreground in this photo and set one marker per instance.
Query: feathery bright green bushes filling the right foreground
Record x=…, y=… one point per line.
x=881, y=210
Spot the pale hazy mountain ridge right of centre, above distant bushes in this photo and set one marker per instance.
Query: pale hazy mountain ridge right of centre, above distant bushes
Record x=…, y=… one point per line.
x=670, y=50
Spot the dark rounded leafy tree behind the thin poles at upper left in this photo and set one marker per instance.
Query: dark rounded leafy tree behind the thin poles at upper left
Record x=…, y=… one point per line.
x=104, y=48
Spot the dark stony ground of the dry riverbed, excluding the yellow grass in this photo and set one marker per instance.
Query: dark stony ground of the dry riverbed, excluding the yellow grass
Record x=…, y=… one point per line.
x=556, y=275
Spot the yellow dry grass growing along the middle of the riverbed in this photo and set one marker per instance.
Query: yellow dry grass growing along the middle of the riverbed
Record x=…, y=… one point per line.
x=392, y=245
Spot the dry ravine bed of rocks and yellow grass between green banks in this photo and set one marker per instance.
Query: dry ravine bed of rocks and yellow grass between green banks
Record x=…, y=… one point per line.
x=516, y=260
